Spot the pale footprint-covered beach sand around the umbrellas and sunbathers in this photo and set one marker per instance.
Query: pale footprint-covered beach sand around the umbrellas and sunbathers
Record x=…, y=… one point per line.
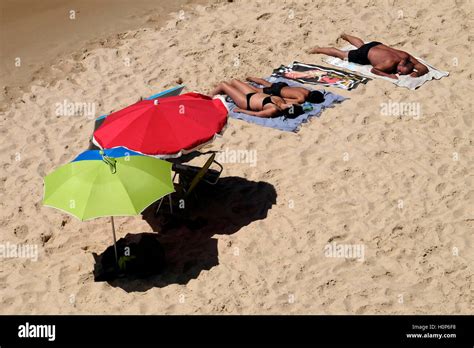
x=401, y=187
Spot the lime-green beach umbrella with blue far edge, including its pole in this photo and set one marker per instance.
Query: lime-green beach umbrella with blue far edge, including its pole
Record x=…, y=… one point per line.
x=97, y=185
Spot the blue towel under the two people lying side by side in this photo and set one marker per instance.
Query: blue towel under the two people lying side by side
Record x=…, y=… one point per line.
x=283, y=123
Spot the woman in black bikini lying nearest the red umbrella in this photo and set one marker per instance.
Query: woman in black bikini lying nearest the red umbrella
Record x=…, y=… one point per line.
x=255, y=103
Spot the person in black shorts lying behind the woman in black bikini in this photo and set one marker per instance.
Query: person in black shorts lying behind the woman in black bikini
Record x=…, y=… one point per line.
x=296, y=95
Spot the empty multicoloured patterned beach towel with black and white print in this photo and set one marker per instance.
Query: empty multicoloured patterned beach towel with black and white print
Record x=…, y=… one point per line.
x=320, y=75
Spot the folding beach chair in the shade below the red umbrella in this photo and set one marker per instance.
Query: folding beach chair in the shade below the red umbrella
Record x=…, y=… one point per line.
x=189, y=177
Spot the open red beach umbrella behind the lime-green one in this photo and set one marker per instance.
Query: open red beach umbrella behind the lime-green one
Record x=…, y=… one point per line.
x=166, y=127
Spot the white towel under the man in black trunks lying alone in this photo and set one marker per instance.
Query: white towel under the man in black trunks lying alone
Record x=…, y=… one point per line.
x=403, y=81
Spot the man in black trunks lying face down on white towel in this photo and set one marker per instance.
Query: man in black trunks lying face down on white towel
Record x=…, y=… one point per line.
x=386, y=61
